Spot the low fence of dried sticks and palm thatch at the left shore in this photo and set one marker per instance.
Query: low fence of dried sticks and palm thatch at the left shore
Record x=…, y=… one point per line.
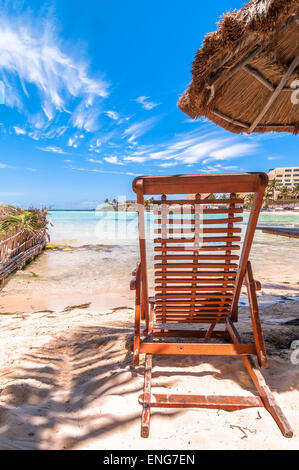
x=23, y=234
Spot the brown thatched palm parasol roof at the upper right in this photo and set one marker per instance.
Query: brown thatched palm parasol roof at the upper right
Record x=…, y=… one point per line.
x=245, y=74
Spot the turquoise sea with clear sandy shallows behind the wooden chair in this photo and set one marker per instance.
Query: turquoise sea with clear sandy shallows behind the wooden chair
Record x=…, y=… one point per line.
x=97, y=267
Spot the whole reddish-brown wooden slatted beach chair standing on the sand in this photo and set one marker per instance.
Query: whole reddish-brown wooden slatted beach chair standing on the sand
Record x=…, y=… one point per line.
x=199, y=271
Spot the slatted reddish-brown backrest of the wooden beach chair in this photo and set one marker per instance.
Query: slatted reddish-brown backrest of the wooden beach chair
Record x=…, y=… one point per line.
x=199, y=269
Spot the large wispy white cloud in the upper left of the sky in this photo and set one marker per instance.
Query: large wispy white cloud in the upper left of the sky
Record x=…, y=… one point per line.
x=31, y=53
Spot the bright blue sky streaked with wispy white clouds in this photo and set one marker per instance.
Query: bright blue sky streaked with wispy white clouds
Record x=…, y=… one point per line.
x=88, y=101
